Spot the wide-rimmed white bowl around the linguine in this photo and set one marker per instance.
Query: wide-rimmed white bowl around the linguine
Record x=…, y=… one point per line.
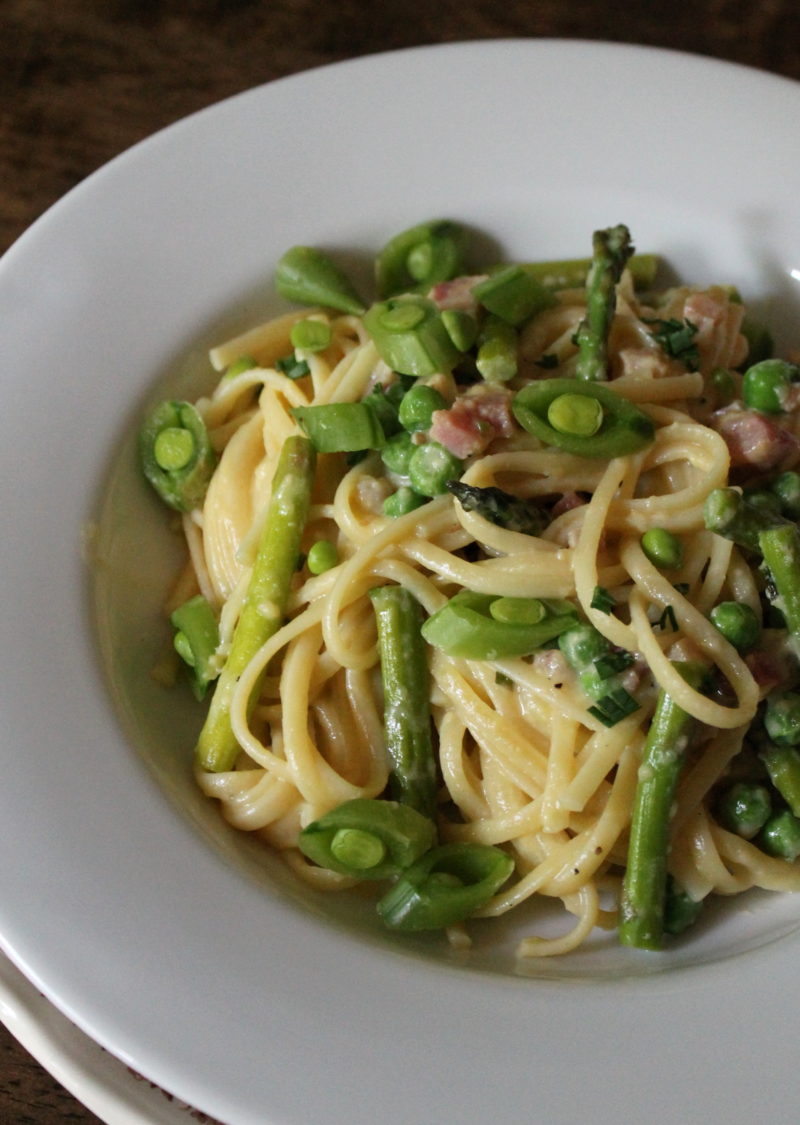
x=181, y=949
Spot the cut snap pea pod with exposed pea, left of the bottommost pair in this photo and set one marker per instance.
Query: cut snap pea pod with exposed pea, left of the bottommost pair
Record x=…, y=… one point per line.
x=368, y=839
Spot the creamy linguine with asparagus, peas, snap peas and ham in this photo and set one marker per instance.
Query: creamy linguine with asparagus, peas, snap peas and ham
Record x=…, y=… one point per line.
x=493, y=589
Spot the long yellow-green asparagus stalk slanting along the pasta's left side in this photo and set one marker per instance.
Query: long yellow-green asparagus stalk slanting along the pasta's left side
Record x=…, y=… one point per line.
x=268, y=592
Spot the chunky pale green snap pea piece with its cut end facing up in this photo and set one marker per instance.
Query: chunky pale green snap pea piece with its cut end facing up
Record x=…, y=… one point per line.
x=410, y=337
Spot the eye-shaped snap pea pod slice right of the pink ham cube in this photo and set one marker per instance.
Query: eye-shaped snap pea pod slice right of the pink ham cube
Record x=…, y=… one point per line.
x=624, y=428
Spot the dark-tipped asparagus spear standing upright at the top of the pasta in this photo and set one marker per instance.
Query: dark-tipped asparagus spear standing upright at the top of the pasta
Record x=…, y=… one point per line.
x=612, y=250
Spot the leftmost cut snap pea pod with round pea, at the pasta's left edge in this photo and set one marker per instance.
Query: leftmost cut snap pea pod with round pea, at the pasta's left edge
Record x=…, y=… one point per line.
x=176, y=455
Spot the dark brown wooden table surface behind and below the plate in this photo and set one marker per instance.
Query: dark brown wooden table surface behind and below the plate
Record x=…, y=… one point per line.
x=83, y=80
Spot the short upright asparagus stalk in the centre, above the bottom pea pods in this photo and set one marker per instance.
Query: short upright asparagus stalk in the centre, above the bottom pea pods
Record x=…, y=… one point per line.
x=407, y=698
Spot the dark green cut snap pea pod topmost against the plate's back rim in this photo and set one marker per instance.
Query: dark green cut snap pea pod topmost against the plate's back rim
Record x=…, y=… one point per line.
x=420, y=257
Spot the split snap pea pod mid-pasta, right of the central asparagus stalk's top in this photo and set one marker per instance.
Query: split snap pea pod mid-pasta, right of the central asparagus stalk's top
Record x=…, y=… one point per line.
x=465, y=628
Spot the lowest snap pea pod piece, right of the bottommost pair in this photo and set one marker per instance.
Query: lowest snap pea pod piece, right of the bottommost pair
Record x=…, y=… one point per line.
x=447, y=886
